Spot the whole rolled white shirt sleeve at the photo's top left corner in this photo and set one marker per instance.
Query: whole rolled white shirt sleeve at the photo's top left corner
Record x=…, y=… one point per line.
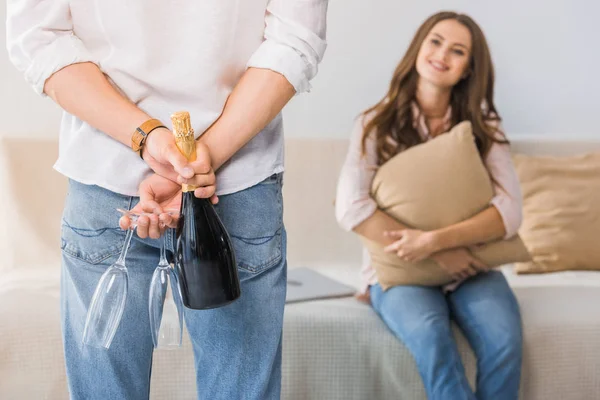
x=40, y=39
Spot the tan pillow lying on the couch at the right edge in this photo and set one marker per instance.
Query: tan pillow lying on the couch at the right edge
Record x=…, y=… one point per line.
x=561, y=210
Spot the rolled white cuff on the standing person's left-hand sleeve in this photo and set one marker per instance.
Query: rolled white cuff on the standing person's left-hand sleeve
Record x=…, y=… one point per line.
x=63, y=51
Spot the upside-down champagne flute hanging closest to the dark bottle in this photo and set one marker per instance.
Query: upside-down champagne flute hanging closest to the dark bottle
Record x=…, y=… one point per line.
x=165, y=305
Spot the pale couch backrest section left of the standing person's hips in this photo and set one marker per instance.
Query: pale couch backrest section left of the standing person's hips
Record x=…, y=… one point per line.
x=32, y=200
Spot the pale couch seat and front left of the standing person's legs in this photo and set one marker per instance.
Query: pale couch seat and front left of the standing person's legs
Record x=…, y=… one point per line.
x=31, y=350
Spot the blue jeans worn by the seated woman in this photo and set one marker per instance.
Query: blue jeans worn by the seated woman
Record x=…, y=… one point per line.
x=486, y=311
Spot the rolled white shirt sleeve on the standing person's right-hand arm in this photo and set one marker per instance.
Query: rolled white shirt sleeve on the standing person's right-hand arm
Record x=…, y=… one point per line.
x=294, y=40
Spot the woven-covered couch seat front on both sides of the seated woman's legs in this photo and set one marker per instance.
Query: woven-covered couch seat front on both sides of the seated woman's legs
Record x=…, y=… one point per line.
x=340, y=349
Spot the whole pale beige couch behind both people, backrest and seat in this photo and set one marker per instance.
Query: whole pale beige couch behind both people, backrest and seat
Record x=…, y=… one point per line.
x=335, y=349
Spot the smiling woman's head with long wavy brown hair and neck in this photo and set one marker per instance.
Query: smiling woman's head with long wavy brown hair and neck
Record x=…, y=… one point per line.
x=450, y=52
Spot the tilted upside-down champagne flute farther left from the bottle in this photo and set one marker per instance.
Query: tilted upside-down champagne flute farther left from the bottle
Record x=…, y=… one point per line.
x=108, y=302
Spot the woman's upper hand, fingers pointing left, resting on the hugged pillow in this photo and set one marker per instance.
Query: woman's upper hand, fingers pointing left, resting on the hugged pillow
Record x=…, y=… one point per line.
x=411, y=244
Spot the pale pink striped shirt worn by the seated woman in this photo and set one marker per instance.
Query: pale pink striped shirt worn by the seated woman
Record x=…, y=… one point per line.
x=354, y=203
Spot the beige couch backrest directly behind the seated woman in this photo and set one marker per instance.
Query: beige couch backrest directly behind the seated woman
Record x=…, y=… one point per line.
x=312, y=166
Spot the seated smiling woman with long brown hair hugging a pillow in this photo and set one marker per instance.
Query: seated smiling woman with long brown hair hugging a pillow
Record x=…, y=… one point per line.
x=445, y=77
